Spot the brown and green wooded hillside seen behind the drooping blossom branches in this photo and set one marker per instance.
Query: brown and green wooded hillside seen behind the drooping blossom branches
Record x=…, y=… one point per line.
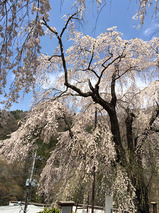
x=13, y=174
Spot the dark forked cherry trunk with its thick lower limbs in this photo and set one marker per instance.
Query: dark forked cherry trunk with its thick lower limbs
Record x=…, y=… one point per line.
x=131, y=163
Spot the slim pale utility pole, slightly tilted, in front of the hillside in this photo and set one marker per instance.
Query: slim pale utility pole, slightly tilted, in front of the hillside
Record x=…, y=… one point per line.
x=28, y=183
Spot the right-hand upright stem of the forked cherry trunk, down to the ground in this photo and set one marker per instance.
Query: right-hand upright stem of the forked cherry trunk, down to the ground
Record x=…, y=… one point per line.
x=135, y=170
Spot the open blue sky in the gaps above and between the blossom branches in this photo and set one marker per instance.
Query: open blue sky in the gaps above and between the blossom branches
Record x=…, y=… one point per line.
x=115, y=13
